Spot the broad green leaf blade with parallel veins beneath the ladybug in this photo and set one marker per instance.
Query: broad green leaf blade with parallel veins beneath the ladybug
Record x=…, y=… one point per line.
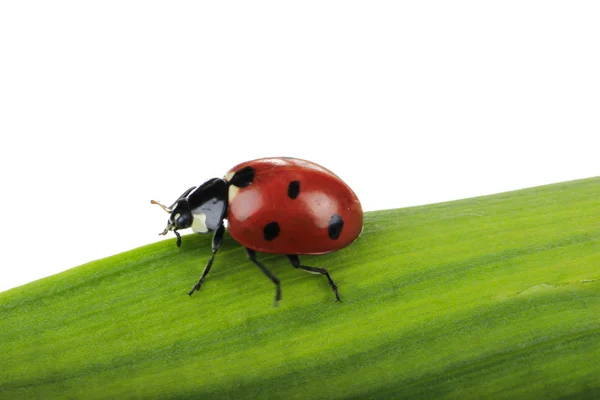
x=491, y=297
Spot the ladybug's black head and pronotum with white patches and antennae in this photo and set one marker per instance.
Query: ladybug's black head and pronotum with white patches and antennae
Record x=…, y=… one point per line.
x=202, y=209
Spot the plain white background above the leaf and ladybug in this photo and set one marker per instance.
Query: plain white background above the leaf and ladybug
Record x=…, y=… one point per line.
x=105, y=105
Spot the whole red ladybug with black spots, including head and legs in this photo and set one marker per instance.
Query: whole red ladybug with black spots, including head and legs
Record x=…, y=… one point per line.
x=276, y=205
